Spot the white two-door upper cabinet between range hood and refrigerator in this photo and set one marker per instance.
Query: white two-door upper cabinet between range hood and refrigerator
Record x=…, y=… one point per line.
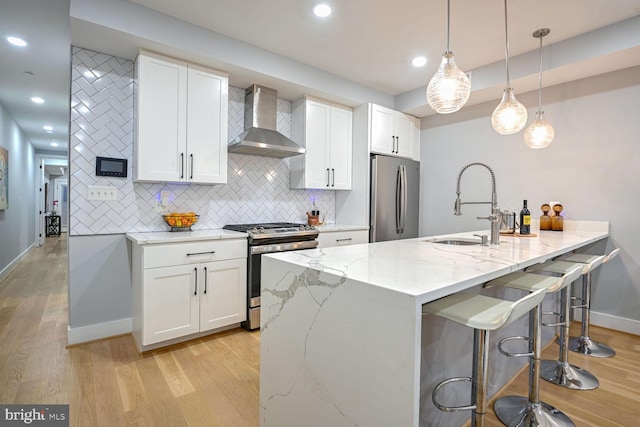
x=325, y=130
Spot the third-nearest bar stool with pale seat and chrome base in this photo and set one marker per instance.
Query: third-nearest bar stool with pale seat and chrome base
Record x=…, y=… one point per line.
x=561, y=372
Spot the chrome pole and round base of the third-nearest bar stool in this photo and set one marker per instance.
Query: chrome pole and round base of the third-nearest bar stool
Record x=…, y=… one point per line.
x=561, y=372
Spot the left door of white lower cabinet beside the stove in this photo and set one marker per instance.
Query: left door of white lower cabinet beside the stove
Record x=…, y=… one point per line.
x=170, y=303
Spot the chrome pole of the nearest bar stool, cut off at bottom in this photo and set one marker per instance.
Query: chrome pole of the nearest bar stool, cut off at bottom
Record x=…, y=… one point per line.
x=480, y=377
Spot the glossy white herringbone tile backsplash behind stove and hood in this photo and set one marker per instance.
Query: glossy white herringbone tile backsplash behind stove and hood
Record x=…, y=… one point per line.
x=257, y=188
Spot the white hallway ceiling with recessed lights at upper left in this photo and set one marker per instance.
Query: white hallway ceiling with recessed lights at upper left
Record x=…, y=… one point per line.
x=44, y=24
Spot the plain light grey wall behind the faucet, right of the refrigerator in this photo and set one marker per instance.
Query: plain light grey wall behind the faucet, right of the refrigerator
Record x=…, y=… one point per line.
x=591, y=167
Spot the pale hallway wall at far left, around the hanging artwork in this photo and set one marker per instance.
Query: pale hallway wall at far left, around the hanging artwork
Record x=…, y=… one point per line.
x=17, y=227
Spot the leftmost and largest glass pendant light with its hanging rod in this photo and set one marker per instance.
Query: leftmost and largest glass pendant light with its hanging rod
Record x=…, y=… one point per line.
x=449, y=88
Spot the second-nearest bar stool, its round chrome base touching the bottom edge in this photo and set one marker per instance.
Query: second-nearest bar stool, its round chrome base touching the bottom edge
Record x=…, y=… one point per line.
x=530, y=410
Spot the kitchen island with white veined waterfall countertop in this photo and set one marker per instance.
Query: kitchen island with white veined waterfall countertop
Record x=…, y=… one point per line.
x=344, y=341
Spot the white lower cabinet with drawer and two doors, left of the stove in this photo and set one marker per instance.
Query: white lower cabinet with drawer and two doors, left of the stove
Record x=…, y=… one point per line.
x=205, y=290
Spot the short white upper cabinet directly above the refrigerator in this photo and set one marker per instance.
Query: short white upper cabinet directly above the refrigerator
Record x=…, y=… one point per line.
x=393, y=133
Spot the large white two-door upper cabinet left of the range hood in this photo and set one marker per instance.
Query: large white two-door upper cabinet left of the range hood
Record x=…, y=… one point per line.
x=181, y=119
